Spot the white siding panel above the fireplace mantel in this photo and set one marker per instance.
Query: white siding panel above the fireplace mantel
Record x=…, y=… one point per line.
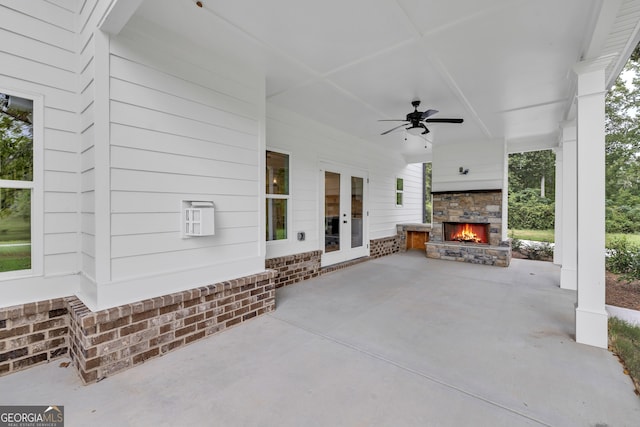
x=485, y=161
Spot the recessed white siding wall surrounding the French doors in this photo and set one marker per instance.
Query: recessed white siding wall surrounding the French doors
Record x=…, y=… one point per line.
x=309, y=143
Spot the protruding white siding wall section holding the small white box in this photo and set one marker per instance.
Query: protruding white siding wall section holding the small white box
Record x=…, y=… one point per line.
x=183, y=125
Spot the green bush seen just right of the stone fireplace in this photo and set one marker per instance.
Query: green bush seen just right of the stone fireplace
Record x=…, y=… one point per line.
x=527, y=210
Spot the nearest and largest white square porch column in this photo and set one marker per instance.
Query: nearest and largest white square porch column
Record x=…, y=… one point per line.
x=591, y=316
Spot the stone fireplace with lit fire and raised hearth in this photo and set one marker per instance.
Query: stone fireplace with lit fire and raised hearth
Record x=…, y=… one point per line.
x=467, y=227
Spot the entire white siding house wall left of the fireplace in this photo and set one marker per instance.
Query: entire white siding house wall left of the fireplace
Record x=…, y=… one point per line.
x=134, y=124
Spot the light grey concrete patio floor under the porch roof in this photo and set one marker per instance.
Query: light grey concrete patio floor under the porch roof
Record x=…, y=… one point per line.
x=397, y=341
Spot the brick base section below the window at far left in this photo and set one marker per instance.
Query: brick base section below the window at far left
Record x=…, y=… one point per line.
x=33, y=333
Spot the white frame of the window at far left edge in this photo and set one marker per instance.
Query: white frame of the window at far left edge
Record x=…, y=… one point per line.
x=37, y=204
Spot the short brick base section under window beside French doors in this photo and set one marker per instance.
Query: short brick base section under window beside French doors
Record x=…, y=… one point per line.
x=295, y=268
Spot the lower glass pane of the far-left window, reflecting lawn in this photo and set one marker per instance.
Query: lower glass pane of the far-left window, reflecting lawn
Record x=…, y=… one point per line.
x=15, y=229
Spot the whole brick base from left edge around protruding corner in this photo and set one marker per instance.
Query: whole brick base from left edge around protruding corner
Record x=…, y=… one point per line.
x=109, y=341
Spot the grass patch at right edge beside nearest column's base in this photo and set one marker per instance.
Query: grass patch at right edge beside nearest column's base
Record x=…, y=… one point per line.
x=625, y=343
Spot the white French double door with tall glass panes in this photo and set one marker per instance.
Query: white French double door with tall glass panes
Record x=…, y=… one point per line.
x=344, y=214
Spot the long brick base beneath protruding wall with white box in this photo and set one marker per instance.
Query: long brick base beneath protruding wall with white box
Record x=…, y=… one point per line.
x=110, y=341
